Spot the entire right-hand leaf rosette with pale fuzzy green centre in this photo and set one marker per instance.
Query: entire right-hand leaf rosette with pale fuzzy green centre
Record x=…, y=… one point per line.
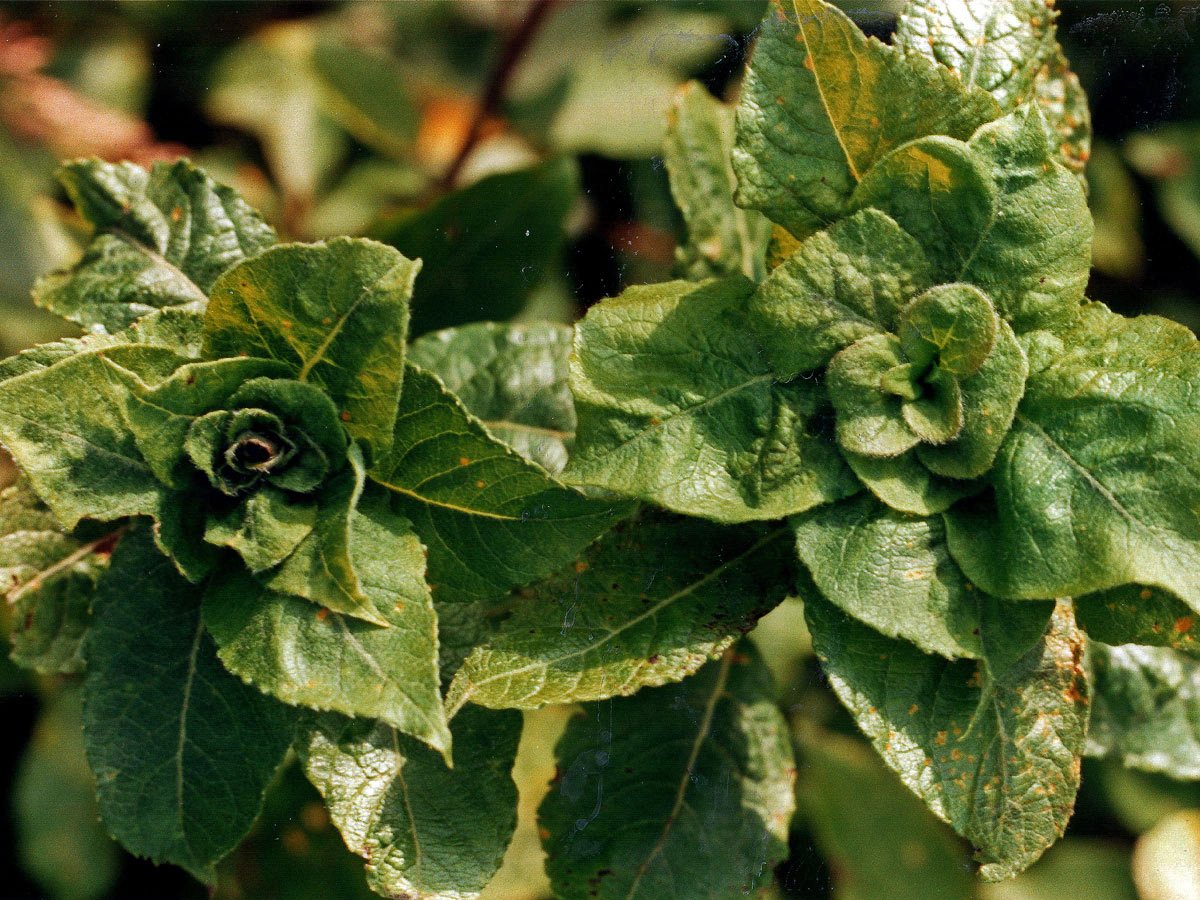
x=911, y=374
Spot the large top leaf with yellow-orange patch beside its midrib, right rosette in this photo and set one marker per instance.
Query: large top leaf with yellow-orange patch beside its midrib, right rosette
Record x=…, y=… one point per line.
x=823, y=105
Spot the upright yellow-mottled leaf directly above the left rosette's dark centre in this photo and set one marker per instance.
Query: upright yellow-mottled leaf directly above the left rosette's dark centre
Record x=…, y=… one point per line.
x=335, y=313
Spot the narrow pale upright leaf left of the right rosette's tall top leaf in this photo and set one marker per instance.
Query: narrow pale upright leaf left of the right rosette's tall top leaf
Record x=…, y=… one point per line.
x=723, y=238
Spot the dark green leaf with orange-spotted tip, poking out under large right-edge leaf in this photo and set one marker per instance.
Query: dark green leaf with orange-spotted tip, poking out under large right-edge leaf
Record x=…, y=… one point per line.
x=1135, y=614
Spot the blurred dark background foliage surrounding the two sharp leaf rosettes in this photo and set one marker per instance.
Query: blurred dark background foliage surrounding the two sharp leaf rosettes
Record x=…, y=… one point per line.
x=514, y=147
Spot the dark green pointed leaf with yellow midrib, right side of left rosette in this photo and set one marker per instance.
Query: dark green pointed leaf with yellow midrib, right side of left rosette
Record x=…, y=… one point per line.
x=490, y=519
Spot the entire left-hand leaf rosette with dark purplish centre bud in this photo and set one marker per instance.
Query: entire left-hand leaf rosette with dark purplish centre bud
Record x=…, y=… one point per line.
x=233, y=424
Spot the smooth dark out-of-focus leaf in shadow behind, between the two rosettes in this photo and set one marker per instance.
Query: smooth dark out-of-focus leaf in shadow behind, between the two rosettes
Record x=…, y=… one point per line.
x=487, y=247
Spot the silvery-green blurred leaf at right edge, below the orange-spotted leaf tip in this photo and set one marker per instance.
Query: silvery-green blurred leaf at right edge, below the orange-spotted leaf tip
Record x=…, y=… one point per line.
x=1147, y=709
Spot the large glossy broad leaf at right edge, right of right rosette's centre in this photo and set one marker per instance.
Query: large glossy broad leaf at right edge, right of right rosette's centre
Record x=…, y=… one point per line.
x=1096, y=483
